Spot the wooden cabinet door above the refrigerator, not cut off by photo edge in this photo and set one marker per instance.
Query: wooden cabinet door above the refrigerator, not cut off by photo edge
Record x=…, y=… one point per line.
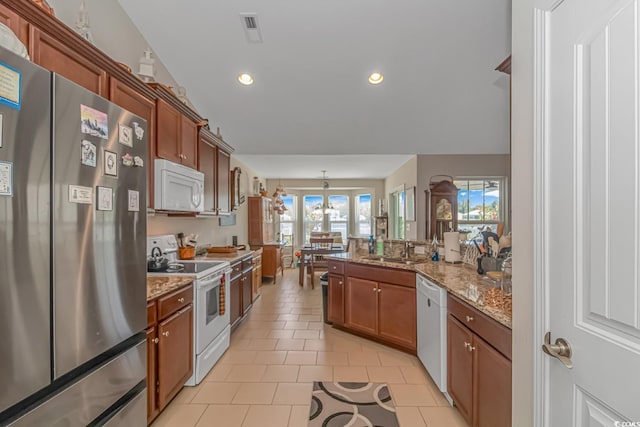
x=54, y=55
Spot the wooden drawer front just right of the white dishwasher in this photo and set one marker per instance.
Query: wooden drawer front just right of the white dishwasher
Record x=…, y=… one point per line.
x=497, y=335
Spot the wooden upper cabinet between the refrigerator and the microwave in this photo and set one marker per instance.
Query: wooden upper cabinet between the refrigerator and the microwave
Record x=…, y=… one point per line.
x=131, y=100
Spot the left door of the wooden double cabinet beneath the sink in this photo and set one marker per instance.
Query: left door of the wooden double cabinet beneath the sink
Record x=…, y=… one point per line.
x=361, y=301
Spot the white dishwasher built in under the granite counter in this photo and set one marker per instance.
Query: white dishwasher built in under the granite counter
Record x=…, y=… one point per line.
x=432, y=331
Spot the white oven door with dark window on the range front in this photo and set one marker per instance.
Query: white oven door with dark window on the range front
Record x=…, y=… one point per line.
x=209, y=320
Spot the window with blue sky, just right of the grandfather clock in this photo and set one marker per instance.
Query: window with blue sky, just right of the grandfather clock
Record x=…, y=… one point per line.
x=480, y=203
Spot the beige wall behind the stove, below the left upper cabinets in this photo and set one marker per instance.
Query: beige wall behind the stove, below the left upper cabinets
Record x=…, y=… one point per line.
x=208, y=228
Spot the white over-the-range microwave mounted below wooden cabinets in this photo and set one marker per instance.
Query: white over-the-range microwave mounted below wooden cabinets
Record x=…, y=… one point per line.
x=177, y=187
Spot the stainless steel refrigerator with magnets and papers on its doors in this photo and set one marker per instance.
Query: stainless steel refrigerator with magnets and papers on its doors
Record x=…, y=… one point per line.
x=73, y=261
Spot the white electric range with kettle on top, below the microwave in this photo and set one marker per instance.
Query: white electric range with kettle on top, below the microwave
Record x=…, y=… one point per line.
x=211, y=319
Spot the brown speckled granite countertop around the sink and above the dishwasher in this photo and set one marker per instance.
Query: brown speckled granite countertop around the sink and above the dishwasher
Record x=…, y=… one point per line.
x=456, y=278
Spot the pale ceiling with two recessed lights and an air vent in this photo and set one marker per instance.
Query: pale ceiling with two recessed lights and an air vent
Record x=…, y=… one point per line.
x=311, y=97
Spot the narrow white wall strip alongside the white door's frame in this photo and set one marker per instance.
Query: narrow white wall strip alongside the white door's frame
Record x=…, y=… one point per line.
x=522, y=202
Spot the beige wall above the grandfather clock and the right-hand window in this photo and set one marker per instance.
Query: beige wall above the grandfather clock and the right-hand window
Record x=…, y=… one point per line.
x=455, y=166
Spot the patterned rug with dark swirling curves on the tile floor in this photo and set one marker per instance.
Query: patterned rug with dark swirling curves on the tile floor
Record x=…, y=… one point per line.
x=351, y=404
